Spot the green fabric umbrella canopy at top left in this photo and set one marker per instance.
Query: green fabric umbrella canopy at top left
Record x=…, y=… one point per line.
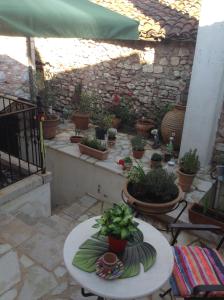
x=64, y=18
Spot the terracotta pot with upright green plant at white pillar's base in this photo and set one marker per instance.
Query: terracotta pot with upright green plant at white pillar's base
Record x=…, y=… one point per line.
x=188, y=167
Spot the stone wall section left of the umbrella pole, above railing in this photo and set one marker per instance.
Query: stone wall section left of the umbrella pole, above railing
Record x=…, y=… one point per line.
x=14, y=74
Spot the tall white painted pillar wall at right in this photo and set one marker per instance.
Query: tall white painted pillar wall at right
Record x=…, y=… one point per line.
x=207, y=83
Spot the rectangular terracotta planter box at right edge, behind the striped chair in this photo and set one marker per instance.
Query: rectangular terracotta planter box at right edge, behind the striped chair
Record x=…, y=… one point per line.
x=212, y=216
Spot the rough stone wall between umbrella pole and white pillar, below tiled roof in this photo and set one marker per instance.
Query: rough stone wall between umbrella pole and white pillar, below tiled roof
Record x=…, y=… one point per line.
x=154, y=73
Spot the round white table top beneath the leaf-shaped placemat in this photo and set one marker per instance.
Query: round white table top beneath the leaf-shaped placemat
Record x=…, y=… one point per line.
x=146, y=283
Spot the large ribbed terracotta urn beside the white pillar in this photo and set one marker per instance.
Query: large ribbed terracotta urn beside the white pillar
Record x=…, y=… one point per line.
x=173, y=122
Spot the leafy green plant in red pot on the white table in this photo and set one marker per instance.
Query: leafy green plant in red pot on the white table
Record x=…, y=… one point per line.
x=118, y=224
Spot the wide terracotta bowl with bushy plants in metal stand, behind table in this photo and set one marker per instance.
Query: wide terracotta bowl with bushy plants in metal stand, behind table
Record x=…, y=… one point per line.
x=151, y=192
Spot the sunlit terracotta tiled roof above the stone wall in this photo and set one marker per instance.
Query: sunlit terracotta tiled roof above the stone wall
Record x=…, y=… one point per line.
x=160, y=19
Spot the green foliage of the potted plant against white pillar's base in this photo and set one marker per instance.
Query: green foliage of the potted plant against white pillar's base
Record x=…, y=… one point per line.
x=189, y=163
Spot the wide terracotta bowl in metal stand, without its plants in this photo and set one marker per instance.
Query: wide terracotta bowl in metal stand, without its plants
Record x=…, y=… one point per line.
x=150, y=208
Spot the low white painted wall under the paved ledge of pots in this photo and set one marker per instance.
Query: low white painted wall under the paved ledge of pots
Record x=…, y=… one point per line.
x=73, y=178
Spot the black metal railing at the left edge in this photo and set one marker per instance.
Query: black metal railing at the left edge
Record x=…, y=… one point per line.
x=20, y=142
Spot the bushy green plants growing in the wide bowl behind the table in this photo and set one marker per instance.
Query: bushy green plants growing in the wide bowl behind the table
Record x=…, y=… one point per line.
x=155, y=186
